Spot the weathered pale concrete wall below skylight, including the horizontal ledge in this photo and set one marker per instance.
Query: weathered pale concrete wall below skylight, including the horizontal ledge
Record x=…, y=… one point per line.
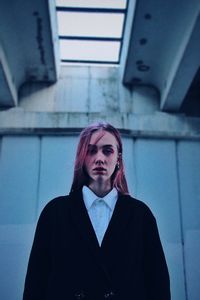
x=84, y=95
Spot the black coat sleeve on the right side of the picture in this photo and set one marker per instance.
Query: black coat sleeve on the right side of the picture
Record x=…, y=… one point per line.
x=155, y=267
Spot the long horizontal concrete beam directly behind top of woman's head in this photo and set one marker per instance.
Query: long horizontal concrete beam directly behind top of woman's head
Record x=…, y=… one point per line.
x=156, y=125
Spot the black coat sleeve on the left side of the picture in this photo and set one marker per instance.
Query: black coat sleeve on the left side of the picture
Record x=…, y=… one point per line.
x=39, y=265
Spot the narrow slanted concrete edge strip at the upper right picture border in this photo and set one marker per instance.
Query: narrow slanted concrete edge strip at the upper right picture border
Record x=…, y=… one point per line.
x=183, y=71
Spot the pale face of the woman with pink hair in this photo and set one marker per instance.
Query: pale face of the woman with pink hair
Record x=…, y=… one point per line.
x=102, y=156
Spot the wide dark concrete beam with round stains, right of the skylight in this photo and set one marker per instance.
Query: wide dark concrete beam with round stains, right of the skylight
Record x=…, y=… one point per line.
x=163, y=50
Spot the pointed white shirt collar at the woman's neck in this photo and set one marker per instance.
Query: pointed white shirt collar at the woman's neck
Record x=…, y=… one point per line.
x=89, y=197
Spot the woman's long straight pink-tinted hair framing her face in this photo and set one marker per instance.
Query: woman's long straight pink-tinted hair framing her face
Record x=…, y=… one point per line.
x=118, y=179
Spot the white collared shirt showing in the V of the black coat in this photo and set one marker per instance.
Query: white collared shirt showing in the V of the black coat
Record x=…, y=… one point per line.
x=100, y=210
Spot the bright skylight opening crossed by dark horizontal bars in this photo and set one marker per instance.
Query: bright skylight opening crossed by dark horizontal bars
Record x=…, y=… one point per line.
x=91, y=34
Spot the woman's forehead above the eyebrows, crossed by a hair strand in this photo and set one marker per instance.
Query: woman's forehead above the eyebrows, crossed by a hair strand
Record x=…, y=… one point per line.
x=102, y=137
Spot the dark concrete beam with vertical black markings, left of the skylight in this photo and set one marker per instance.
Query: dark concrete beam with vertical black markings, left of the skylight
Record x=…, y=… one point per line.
x=30, y=46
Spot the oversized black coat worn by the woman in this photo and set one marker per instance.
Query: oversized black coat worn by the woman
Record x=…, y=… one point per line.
x=66, y=261
